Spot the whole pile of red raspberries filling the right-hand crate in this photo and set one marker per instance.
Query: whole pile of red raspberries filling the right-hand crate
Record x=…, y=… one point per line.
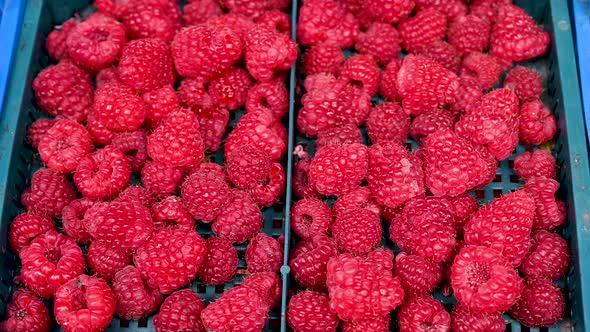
x=447, y=94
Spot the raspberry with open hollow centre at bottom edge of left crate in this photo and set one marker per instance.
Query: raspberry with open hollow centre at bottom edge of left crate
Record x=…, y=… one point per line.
x=85, y=303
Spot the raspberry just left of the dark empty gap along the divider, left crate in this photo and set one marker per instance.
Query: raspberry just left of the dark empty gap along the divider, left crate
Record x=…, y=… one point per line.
x=241, y=219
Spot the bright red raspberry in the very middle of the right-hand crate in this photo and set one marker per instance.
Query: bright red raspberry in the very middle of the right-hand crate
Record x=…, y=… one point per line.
x=395, y=175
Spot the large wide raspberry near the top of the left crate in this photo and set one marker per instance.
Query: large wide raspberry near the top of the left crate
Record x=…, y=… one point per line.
x=205, y=50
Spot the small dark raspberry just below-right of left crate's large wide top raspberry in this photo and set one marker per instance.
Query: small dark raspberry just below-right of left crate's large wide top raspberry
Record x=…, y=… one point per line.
x=230, y=90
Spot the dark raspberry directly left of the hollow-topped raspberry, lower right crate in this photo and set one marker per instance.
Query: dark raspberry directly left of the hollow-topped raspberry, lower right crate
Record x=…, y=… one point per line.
x=418, y=275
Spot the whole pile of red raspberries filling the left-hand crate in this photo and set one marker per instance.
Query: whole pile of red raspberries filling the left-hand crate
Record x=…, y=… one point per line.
x=139, y=96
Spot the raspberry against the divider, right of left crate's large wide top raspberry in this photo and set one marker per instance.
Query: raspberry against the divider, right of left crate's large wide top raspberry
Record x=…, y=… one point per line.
x=267, y=51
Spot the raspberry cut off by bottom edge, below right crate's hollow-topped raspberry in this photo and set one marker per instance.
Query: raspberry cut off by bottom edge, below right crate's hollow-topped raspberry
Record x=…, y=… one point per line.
x=467, y=321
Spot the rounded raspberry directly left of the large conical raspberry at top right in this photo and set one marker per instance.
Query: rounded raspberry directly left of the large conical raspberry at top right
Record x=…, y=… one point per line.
x=469, y=33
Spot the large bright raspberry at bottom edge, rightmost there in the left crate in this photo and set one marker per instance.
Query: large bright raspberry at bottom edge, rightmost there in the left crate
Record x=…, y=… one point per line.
x=237, y=302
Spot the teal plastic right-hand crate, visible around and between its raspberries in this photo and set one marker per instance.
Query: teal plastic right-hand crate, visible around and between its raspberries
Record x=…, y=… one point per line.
x=558, y=70
